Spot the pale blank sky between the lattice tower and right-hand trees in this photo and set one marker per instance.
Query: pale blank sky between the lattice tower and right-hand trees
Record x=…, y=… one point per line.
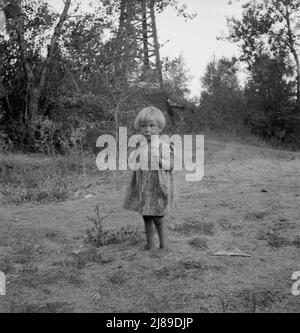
x=195, y=39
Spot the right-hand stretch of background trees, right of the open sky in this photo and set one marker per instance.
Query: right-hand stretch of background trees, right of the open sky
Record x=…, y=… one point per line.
x=259, y=91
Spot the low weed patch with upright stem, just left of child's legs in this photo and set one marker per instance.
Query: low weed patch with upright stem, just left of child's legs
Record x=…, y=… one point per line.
x=97, y=236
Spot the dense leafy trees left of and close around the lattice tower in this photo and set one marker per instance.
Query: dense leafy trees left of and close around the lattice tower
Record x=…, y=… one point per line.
x=63, y=74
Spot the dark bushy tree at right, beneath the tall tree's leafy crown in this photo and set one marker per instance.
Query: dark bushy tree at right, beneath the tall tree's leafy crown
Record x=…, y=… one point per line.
x=268, y=97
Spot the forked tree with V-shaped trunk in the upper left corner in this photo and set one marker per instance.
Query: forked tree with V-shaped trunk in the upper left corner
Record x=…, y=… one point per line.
x=26, y=19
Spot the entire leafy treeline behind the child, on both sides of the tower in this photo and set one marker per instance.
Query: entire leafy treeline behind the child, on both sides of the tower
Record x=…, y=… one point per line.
x=66, y=73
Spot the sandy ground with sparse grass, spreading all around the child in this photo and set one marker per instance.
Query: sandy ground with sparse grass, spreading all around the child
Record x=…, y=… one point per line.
x=248, y=200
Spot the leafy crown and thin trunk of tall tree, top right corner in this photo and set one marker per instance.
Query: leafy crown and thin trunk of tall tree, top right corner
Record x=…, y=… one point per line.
x=269, y=27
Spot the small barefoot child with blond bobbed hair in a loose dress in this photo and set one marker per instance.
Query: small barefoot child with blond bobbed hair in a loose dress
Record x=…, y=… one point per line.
x=151, y=192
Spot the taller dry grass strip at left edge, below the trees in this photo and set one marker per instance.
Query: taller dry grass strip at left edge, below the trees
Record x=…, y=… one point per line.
x=39, y=179
